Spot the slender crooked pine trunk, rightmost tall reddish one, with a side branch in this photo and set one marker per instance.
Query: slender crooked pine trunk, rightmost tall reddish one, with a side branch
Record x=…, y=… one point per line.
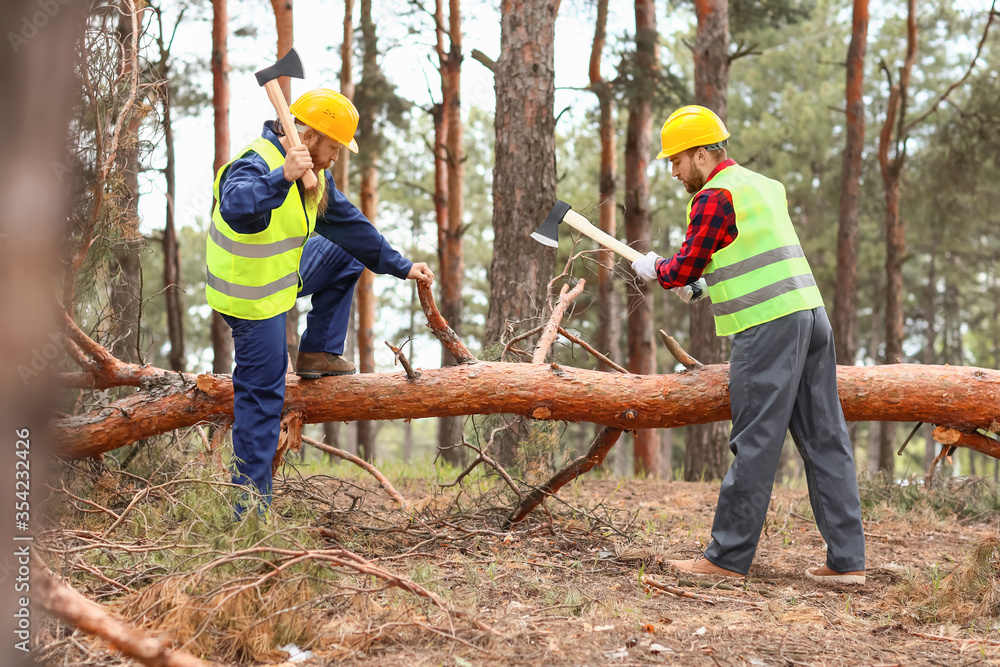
x=895, y=229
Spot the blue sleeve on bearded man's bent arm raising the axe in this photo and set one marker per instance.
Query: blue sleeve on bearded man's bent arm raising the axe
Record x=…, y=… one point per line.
x=249, y=191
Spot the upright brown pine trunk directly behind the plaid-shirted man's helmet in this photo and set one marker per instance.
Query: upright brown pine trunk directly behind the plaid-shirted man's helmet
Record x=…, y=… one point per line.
x=706, y=453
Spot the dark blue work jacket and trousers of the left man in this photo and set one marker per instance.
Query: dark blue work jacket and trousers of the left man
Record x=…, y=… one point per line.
x=331, y=263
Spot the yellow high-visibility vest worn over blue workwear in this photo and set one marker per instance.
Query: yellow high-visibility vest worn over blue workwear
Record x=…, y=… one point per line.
x=256, y=276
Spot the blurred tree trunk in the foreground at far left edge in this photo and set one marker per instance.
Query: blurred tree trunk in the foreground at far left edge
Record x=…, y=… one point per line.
x=38, y=81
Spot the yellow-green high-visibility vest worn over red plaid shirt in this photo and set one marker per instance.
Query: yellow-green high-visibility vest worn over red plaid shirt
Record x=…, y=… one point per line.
x=763, y=274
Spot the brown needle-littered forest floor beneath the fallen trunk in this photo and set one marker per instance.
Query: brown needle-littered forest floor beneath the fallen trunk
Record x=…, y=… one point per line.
x=565, y=587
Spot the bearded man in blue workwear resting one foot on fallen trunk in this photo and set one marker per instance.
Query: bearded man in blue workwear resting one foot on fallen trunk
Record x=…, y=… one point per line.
x=262, y=255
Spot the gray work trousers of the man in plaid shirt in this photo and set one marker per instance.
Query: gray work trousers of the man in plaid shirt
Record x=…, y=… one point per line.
x=783, y=376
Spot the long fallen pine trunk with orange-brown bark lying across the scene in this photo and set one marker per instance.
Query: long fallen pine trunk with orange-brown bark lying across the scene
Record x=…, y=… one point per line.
x=959, y=397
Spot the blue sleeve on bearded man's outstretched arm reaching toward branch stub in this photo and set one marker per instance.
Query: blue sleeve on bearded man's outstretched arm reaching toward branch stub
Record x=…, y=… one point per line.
x=346, y=226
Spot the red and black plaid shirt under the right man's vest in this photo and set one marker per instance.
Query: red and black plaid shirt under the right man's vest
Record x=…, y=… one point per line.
x=712, y=227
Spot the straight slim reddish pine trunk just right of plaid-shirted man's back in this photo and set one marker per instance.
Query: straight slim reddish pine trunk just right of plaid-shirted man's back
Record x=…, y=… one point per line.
x=845, y=299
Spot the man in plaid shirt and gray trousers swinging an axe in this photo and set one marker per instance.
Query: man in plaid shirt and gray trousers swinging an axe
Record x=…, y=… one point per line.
x=742, y=252
